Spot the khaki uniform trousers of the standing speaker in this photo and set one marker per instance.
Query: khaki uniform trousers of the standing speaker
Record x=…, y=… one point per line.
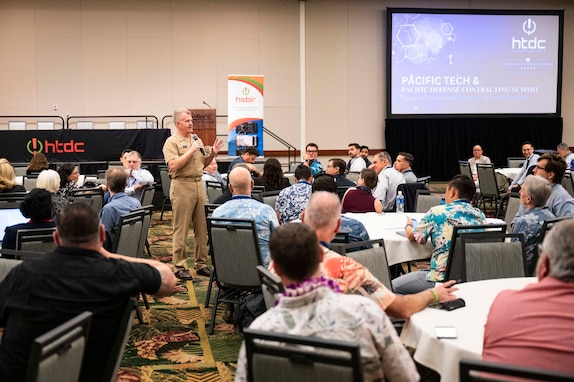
x=187, y=196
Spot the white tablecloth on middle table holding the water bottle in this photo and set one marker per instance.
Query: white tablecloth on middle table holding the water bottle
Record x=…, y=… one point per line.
x=385, y=226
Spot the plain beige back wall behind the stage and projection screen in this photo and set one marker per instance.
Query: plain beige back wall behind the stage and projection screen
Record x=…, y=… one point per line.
x=104, y=57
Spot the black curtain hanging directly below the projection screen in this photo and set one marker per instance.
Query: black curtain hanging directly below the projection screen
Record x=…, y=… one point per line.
x=438, y=144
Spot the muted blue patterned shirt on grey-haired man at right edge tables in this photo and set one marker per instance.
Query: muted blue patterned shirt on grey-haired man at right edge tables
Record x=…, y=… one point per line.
x=530, y=225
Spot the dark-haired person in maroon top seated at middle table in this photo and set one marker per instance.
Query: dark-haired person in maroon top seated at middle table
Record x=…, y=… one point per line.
x=361, y=199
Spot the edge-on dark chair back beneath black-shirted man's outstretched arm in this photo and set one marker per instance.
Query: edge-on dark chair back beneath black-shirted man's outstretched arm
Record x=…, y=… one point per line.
x=121, y=336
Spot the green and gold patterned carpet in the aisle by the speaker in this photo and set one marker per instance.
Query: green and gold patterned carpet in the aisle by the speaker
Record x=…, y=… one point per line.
x=173, y=344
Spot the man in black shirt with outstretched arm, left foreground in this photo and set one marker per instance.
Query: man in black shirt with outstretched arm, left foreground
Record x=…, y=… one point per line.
x=78, y=276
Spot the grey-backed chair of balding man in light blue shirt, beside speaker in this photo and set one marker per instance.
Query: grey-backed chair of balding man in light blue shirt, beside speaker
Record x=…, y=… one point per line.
x=235, y=255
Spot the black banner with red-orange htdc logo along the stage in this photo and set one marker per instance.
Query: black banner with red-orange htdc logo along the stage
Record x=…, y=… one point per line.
x=81, y=145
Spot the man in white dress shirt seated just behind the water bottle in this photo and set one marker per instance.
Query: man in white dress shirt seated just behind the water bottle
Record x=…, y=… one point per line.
x=389, y=180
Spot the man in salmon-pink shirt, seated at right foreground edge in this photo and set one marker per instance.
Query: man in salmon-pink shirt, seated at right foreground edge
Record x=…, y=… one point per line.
x=534, y=327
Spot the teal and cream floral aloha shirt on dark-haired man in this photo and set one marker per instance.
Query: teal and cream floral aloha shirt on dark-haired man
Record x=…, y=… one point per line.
x=438, y=225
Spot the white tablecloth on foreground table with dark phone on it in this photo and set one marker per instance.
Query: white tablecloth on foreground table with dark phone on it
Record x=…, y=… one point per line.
x=444, y=355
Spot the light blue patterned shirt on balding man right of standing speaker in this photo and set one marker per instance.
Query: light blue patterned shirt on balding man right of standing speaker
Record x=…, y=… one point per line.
x=244, y=207
